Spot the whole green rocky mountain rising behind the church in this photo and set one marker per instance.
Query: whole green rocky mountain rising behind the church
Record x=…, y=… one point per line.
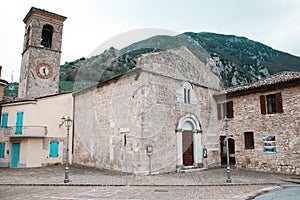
x=236, y=60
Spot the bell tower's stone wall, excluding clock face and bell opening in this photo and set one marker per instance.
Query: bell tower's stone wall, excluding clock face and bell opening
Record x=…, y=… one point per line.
x=31, y=85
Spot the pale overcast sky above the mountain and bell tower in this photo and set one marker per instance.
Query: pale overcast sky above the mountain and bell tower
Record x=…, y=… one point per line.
x=91, y=23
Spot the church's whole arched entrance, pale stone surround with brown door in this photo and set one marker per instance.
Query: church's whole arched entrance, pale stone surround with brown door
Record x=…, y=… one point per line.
x=189, y=144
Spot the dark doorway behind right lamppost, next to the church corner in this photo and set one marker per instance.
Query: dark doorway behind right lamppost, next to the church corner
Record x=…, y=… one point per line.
x=231, y=146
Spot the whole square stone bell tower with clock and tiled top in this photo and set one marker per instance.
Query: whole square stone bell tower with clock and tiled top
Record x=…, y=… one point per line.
x=41, y=54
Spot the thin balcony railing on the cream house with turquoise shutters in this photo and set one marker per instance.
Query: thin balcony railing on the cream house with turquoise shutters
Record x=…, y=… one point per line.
x=24, y=131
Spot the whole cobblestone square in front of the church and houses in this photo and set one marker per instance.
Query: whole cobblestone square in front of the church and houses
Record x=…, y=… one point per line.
x=92, y=183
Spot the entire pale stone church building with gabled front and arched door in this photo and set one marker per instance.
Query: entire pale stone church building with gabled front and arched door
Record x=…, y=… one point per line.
x=165, y=103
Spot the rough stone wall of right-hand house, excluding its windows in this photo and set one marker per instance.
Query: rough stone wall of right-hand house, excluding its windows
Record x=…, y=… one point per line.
x=285, y=127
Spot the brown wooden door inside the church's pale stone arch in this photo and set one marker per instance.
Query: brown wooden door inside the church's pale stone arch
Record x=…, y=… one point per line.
x=188, y=148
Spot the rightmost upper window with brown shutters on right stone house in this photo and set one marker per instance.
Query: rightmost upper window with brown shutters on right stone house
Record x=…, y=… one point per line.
x=271, y=103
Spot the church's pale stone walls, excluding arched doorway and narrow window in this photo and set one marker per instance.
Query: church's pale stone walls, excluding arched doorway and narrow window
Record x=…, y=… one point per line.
x=146, y=106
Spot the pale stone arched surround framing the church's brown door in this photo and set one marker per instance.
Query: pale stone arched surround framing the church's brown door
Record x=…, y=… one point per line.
x=189, y=122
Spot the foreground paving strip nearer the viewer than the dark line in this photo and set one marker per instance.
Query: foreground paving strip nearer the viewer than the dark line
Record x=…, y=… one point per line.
x=131, y=192
